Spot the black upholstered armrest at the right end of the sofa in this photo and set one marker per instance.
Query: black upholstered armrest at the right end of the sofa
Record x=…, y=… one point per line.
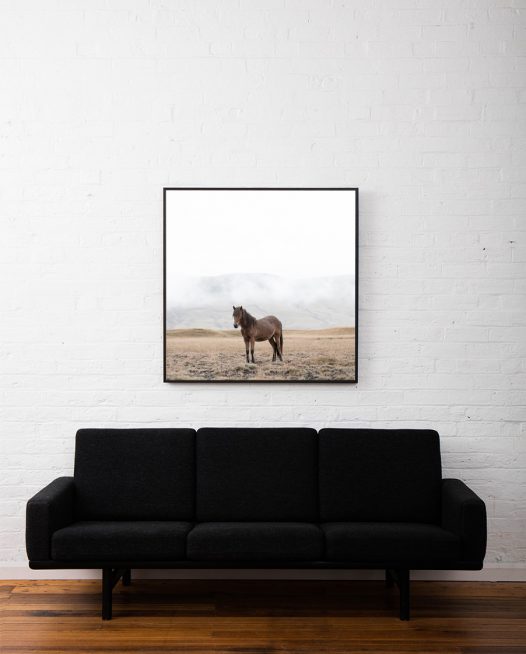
x=464, y=514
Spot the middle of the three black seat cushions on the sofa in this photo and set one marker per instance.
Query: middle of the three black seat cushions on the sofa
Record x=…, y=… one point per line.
x=255, y=541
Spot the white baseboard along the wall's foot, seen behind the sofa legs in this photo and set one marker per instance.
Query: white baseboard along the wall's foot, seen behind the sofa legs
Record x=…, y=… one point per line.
x=18, y=571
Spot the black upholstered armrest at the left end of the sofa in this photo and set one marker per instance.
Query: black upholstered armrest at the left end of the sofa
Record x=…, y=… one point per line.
x=50, y=509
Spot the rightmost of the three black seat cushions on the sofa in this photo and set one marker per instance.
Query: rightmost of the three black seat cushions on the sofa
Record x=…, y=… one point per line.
x=389, y=542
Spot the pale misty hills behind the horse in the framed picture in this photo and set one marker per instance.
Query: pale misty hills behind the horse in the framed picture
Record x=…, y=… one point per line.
x=312, y=303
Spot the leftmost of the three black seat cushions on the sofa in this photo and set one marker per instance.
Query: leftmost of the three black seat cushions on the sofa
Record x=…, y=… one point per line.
x=121, y=541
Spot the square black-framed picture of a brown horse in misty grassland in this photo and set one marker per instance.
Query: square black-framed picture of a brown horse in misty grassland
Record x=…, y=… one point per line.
x=261, y=285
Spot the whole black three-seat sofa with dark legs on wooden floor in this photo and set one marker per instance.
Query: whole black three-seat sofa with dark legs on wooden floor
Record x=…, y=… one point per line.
x=256, y=498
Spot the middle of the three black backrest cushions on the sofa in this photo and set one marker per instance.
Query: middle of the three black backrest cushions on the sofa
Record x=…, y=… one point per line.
x=256, y=474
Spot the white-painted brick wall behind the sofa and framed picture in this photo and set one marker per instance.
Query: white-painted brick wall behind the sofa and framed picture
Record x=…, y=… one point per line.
x=420, y=103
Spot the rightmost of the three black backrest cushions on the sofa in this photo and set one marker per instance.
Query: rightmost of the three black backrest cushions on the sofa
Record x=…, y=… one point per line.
x=379, y=475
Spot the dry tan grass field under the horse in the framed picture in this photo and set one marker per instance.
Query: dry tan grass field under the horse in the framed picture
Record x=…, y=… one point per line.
x=308, y=355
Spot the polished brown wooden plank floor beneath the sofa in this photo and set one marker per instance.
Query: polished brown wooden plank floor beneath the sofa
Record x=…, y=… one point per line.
x=256, y=617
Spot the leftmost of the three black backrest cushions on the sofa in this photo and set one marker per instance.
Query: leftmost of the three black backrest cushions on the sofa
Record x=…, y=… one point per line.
x=135, y=474
